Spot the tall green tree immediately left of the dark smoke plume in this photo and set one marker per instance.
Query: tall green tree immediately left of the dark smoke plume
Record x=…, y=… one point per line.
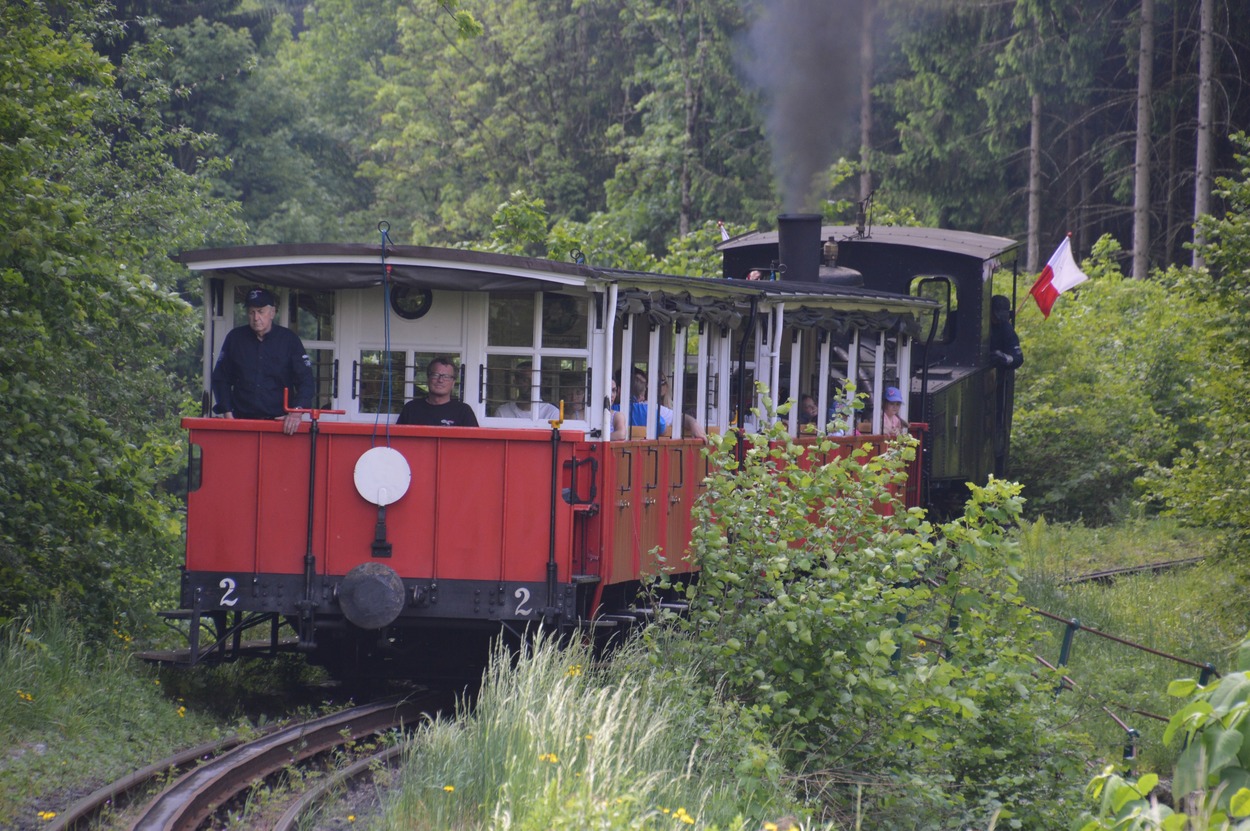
x=693, y=151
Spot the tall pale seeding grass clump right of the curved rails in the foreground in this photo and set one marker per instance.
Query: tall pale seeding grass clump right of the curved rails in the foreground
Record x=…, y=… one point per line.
x=558, y=743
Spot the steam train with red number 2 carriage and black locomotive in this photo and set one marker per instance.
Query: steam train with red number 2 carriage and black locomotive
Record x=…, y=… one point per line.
x=394, y=550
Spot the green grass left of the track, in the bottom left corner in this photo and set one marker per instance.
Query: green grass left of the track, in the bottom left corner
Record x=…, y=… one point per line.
x=73, y=718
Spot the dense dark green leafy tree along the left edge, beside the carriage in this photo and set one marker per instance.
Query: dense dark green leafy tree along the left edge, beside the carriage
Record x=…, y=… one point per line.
x=92, y=211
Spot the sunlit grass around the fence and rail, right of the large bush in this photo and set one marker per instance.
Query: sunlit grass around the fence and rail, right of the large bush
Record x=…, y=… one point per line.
x=1187, y=613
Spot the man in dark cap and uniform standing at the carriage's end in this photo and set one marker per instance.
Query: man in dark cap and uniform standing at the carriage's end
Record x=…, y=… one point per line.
x=258, y=363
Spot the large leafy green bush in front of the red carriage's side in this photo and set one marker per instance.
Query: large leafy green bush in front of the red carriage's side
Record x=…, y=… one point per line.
x=891, y=659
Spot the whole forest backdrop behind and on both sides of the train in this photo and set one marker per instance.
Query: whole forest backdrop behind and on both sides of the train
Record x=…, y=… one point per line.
x=134, y=131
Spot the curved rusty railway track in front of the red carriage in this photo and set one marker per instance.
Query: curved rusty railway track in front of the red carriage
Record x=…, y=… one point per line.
x=213, y=777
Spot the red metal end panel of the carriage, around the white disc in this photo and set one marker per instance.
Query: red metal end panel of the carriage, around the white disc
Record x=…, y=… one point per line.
x=478, y=507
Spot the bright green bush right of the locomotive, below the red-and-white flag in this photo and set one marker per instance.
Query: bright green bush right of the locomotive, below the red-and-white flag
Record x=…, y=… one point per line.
x=1106, y=392
